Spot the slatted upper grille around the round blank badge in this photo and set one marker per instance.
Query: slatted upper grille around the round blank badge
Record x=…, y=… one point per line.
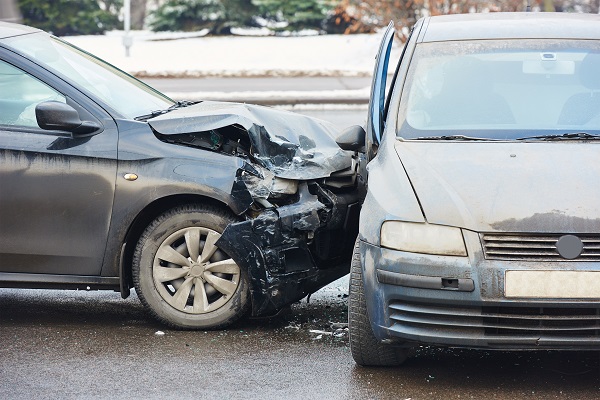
x=535, y=247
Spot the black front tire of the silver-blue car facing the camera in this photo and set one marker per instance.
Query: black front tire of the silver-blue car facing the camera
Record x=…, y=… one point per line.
x=365, y=348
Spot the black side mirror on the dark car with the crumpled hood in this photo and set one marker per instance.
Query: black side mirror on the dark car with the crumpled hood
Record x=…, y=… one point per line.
x=54, y=115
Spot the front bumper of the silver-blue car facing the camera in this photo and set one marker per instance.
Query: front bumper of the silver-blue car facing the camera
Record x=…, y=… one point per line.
x=460, y=302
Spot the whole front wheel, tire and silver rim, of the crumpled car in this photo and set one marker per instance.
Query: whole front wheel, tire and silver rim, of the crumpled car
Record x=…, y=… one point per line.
x=176, y=259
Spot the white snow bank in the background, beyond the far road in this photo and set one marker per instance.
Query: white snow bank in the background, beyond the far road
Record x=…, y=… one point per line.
x=194, y=55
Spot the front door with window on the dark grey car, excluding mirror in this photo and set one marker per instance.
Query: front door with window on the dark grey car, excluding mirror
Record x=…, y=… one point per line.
x=56, y=189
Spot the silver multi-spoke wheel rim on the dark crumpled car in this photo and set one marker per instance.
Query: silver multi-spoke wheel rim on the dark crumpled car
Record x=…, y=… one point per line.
x=192, y=274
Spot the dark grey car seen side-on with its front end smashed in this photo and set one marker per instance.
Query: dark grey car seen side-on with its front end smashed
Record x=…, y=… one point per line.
x=210, y=210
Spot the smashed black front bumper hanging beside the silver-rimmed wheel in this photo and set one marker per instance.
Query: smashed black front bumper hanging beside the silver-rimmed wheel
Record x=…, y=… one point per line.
x=294, y=250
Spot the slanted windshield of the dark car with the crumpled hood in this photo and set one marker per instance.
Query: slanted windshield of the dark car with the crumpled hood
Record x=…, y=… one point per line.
x=117, y=89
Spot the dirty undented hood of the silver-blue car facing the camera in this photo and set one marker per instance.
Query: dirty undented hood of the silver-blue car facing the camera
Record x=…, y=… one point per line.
x=547, y=187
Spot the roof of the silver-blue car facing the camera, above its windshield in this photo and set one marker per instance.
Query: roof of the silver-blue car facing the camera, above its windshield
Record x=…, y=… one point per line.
x=517, y=25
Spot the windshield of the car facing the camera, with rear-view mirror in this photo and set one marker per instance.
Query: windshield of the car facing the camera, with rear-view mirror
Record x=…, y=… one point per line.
x=501, y=89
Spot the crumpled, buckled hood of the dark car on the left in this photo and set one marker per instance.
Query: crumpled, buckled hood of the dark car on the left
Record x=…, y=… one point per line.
x=290, y=145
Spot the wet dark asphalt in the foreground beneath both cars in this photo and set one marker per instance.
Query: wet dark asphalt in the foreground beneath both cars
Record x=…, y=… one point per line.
x=70, y=345
